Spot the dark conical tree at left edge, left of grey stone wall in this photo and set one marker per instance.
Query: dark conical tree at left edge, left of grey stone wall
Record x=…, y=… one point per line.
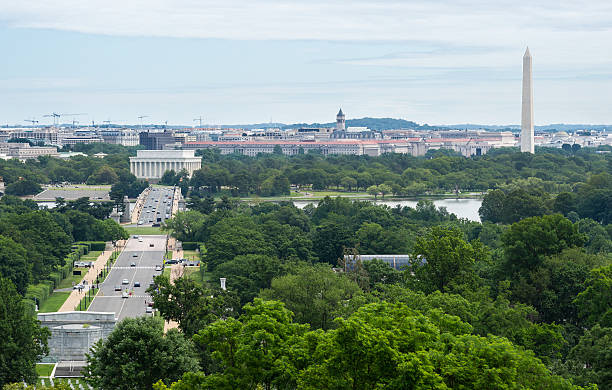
x=23, y=341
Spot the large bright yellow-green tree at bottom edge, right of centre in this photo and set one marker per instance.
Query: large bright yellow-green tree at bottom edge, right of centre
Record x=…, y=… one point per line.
x=392, y=347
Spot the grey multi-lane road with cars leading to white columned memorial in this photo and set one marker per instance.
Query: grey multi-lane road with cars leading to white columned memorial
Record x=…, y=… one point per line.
x=124, y=290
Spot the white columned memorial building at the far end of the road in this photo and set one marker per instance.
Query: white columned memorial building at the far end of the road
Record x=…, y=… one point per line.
x=151, y=164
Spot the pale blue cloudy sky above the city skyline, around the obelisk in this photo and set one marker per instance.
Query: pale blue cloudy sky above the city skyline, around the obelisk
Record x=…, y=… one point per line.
x=253, y=61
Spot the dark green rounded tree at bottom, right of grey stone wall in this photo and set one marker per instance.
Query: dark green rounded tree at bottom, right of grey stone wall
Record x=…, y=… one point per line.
x=137, y=354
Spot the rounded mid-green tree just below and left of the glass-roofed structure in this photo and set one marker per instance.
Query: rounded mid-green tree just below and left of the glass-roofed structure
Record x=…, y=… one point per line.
x=315, y=294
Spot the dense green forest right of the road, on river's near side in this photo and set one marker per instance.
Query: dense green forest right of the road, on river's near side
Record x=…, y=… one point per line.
x=521, y=305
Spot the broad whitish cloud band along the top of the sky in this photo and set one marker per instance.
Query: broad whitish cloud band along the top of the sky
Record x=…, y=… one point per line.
x=494, y=22
